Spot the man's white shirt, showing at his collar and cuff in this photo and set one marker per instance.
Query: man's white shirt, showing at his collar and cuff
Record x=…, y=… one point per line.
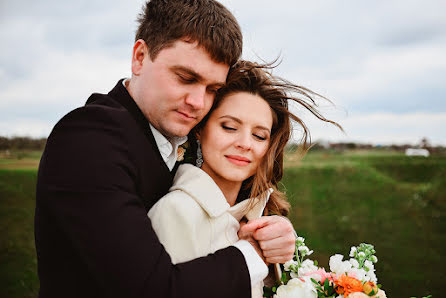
x=256, y=267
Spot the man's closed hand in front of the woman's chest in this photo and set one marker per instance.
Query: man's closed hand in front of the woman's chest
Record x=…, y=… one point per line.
x=275, y=235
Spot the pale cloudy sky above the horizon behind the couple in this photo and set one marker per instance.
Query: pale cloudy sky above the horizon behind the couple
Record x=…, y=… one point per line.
x=381, y=63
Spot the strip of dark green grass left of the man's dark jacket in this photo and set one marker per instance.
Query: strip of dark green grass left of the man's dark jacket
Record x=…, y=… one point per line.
x=18, y=276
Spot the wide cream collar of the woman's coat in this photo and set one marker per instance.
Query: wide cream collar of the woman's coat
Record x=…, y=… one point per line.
x=202, y=188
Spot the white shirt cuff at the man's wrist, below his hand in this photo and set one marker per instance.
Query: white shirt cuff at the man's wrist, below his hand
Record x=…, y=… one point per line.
x=256, y=267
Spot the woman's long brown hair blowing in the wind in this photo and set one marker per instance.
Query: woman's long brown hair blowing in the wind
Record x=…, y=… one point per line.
x=257, y=79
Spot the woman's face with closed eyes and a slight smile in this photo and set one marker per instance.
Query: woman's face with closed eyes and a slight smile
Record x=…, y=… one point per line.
x=236, y=137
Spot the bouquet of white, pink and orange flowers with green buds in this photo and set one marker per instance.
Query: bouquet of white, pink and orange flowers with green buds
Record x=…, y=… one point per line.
x=354, y=278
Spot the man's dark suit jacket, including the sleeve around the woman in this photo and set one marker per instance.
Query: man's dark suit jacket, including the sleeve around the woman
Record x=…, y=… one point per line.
x=100, y=173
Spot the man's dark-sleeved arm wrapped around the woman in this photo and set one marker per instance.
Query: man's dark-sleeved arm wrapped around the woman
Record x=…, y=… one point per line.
x=87, y=186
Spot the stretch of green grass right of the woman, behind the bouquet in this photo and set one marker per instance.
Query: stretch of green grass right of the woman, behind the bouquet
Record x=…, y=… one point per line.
x=393, y=202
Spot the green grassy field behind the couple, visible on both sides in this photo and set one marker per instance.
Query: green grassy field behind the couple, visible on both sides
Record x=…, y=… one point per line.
x=395, y=202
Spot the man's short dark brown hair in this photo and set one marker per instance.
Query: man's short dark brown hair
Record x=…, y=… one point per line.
x=207, y=22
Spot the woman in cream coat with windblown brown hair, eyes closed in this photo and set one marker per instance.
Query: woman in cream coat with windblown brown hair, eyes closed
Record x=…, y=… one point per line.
x=239, y=155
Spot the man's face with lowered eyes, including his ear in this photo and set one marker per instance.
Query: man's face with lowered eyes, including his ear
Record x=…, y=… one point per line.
x=176, y=89
